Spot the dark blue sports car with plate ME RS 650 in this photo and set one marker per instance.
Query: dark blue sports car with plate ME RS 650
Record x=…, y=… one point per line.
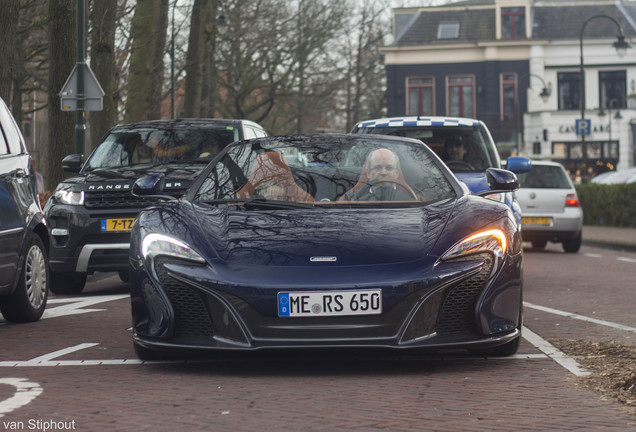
x=327, y=240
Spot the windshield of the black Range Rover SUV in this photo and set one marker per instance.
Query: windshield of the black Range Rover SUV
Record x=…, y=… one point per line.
x=122, y=148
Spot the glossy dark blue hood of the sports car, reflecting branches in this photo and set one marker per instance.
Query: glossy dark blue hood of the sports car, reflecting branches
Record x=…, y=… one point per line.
x=320, y=237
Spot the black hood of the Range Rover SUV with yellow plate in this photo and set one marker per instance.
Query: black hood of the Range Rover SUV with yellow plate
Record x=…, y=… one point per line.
x=126, y=176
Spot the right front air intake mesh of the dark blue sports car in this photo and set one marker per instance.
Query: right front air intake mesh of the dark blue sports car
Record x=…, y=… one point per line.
x=458, y=310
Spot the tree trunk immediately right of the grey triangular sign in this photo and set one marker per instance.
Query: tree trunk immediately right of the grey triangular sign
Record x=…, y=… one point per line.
x=103, y=20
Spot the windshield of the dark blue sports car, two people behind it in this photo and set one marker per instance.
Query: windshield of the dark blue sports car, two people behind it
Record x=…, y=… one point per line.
x=326, y=169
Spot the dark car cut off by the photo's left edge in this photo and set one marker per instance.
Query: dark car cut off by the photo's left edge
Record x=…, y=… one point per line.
x=23, y=236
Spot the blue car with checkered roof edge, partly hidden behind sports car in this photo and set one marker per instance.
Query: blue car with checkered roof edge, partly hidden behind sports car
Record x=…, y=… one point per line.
x=464, y=144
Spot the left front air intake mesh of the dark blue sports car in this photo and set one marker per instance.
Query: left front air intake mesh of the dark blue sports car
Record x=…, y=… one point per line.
x=192, y=318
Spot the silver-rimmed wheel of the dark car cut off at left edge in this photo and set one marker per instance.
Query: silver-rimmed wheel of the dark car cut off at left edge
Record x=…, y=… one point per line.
x=28, y=301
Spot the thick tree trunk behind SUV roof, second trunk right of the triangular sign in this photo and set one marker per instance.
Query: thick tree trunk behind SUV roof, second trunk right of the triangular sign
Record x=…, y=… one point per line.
x=149, y=26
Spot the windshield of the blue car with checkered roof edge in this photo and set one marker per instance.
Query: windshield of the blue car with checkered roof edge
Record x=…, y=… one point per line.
x=462, y=148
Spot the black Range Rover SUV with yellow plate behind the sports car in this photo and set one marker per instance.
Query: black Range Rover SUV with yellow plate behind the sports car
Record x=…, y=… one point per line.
x=90, y=214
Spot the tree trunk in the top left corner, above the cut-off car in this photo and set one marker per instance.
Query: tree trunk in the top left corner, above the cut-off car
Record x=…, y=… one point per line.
x=9, y=13
